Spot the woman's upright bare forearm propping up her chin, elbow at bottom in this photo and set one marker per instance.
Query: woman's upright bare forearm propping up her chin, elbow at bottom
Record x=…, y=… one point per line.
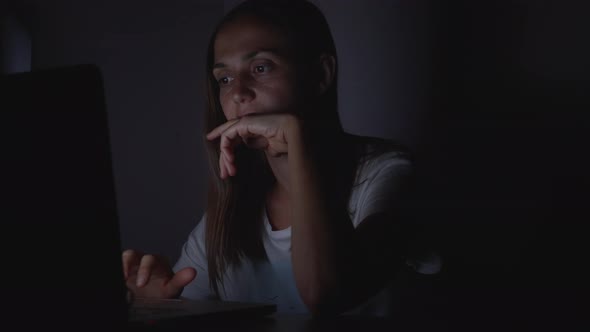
x=321, y=238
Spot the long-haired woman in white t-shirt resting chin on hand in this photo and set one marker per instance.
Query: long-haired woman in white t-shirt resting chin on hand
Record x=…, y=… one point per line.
x=299, y=212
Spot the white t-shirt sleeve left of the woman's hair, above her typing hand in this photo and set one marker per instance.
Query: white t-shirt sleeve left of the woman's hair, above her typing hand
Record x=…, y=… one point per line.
x=193, y=255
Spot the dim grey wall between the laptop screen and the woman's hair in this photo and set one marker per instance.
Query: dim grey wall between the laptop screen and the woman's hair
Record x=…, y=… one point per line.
x=152, y=58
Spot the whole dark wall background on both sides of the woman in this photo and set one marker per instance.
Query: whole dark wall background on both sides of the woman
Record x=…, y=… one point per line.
x=492, y=96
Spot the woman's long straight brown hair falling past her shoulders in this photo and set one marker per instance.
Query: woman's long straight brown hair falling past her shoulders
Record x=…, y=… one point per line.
x=234, y=214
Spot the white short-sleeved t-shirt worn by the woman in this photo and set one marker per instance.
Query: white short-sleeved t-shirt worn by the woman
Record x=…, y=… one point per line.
x=377, y=184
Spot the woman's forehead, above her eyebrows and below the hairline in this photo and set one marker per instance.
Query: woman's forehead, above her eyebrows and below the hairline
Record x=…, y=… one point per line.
x=248, y=34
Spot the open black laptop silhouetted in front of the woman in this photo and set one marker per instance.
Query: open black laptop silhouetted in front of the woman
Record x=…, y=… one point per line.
x=60, y=227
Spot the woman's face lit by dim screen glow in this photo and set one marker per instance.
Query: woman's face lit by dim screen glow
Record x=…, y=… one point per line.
x=254, y=69
